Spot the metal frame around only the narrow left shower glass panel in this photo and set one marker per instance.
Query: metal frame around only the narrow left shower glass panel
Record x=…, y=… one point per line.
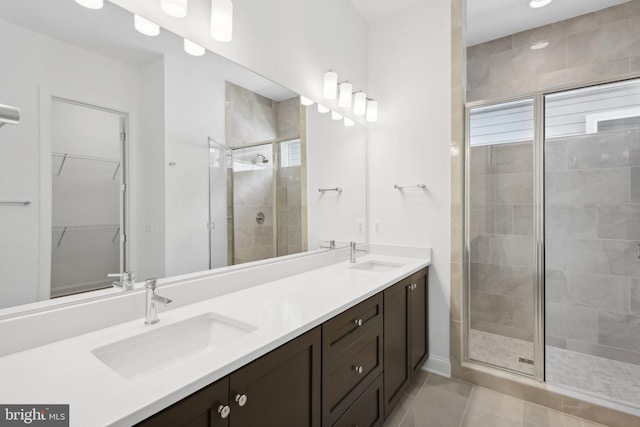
x=538, y=239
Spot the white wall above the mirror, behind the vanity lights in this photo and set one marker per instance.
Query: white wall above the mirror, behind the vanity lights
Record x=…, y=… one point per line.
x=292, y=42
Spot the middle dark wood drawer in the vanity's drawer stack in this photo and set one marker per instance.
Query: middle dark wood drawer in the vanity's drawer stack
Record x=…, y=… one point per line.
x=349, y=374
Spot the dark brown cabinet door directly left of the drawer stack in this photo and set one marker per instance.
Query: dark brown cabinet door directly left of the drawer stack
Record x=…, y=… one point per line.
x=281, y=389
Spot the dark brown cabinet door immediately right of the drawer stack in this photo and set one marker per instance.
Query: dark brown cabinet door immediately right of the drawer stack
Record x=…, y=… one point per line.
x=396, y=336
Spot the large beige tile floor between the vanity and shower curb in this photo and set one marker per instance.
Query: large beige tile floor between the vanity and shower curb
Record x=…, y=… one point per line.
x=436, y=401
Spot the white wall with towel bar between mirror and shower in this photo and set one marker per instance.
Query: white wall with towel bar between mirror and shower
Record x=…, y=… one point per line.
x=409, y=74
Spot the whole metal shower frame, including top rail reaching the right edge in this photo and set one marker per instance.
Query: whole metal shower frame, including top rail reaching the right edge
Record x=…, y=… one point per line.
x=538, y=232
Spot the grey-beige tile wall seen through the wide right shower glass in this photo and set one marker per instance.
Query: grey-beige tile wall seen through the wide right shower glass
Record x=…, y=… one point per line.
x=593, y=229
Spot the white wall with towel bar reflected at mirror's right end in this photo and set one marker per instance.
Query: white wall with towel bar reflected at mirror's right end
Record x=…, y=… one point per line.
x=336, y=157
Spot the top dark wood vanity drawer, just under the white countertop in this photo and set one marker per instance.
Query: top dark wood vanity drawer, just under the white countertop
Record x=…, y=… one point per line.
x=343, y=330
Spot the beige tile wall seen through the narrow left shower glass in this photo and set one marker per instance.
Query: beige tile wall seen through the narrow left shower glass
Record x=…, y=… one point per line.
x=501, y=239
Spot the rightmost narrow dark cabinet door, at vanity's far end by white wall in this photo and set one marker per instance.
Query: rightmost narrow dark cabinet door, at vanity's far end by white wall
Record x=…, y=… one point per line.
x=419, y=331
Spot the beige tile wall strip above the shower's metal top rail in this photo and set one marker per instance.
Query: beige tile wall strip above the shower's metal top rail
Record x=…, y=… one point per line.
x=598, y=46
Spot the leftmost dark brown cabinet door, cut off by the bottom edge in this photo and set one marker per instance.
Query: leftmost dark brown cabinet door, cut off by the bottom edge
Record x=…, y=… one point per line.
x=198, y=410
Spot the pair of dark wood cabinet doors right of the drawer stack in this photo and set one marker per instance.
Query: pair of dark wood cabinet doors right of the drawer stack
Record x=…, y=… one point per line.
x=406, y=342
